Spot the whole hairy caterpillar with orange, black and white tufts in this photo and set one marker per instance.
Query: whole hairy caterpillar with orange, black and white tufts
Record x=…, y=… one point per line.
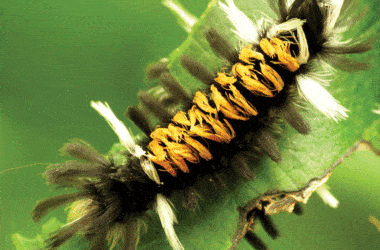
x=260, y=83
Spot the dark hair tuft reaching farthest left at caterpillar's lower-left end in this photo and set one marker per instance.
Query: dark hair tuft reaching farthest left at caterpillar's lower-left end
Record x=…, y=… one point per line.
x=43, y=207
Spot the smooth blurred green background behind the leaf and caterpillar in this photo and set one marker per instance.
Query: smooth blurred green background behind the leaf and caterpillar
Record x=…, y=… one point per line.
x=58, y=55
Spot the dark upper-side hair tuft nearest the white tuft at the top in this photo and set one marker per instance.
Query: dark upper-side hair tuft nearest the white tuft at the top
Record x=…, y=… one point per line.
x=221, y=46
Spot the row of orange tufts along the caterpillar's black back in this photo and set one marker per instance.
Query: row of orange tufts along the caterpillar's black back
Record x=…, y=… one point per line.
x=180, y=142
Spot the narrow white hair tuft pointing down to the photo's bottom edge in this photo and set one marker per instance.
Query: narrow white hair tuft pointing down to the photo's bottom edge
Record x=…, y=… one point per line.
x=168, y=218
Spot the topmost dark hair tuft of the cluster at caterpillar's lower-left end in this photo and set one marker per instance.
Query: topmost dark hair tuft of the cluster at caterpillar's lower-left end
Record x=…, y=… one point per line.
x=84, y=151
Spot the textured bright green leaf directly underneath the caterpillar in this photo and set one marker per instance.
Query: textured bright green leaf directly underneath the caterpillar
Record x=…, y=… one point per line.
x=304, y=157
